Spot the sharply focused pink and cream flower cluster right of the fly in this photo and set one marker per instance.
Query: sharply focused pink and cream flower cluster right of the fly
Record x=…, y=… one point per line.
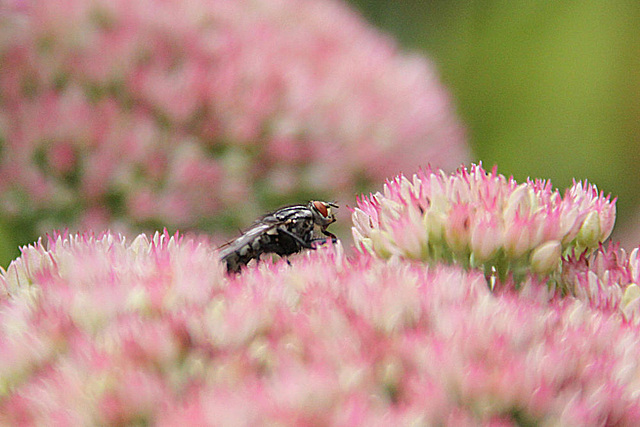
x=482, y=220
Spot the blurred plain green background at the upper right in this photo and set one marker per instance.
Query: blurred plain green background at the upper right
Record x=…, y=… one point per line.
x=547, y=89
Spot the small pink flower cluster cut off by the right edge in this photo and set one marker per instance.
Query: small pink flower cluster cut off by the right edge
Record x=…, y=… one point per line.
x=608, y=280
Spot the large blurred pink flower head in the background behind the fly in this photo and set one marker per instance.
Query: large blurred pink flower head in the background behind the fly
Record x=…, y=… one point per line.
x=178, y=113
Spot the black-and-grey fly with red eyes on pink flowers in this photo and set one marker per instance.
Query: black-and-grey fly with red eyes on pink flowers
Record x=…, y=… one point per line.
x=284, y=232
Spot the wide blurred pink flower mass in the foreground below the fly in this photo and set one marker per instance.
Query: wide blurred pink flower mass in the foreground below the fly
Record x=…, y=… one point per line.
x=95, y=331
